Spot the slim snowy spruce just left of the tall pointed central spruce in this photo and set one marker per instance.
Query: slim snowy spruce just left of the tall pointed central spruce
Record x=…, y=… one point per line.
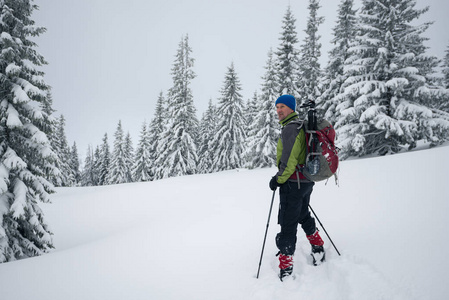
x=155, y=131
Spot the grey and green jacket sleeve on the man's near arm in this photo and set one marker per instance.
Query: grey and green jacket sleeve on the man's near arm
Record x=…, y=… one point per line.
x=291, y=153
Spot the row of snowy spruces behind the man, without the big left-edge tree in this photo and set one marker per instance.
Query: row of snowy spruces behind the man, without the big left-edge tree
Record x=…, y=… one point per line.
x=379, y=89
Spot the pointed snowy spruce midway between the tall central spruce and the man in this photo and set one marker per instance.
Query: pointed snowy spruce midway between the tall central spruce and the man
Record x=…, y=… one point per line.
x=228, y=145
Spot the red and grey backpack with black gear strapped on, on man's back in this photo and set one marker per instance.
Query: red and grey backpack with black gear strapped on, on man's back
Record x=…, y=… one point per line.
x=321, y=153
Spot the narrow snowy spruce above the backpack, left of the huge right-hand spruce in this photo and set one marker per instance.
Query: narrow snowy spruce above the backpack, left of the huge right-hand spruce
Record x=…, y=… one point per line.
x=344, y=33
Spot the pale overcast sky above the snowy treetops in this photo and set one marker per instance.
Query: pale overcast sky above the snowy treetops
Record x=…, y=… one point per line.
x=110, y=59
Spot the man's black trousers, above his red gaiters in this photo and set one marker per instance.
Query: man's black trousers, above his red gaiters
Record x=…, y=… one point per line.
x=294, y=210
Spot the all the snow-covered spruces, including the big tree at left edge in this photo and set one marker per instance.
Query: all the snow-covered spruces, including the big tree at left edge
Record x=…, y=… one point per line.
x=379, y=88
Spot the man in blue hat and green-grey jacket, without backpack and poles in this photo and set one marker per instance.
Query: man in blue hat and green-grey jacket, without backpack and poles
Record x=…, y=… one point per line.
x=295, y=189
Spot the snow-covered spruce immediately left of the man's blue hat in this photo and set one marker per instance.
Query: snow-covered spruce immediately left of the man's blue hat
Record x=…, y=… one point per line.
x=263, y=137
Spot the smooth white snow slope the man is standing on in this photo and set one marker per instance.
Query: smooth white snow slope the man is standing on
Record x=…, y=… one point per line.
x=200, y=237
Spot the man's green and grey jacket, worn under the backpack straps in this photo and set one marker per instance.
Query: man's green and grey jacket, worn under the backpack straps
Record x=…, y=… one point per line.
x=291, y=150
